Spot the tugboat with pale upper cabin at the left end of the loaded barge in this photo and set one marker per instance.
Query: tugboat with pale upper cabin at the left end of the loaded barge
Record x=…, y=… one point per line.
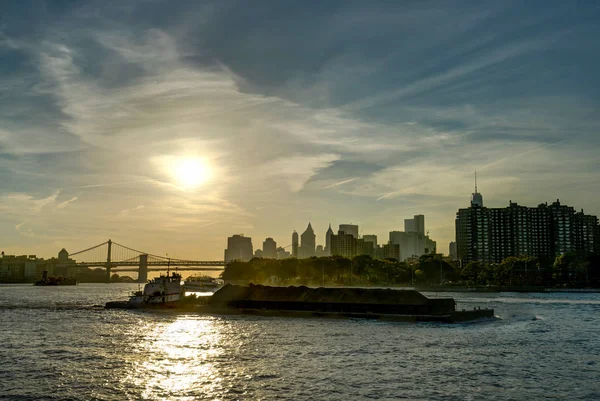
x=163, y=291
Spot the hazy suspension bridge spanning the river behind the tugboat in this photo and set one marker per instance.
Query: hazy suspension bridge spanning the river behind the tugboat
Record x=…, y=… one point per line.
x=117, y=258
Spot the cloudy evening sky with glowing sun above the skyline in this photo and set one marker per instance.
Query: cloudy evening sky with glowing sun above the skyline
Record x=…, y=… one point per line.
x=169, y=126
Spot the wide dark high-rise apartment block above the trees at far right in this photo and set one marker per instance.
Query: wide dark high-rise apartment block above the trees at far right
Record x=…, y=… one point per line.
x=493, y=234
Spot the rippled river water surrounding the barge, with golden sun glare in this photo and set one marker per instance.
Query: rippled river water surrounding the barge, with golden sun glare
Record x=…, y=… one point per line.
x=56, y=345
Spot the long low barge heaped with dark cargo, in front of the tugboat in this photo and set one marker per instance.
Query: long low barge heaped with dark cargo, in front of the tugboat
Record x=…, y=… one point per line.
x=382, y=304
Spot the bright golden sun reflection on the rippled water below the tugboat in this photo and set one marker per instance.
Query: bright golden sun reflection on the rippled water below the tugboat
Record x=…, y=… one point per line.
x=176, y=360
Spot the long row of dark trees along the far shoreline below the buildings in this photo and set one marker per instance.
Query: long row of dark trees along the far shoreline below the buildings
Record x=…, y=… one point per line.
x=428, y=270
